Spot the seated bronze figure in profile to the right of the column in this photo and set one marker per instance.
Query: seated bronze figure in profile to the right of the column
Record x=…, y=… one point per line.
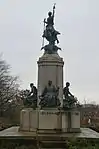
x=70, y=101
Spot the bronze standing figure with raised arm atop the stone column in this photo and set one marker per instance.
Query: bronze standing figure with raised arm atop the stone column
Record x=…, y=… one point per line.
x=50, y=33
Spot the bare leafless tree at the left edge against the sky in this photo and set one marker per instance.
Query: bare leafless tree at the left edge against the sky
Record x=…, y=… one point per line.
x=8, y=86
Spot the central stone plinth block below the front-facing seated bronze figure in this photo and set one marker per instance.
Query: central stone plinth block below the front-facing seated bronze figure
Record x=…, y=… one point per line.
x=50, y=119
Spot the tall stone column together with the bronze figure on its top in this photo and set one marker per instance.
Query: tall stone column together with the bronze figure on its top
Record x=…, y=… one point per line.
x=50, y=65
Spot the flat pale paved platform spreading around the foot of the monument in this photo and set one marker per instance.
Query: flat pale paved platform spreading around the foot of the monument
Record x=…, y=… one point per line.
x=13, y=132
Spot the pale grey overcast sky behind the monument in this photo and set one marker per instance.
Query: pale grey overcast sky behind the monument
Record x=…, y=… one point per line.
x=21, y=27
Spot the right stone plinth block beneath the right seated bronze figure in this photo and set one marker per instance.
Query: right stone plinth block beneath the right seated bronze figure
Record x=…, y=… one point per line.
x=71, y=121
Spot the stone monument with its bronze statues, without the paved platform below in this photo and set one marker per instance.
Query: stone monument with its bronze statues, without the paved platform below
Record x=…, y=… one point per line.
x=55, y=108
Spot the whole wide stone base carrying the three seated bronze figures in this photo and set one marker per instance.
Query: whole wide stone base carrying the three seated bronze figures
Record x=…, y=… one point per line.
x=49, y=120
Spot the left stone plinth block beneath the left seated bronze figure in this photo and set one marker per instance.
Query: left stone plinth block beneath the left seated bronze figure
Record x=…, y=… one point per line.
x=28, y=120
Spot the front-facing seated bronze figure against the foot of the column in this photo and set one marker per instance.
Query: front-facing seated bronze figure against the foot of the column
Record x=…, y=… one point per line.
x=49, y=97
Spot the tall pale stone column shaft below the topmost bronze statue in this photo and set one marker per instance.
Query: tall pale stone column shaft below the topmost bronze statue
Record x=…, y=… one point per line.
x=50, y=67
